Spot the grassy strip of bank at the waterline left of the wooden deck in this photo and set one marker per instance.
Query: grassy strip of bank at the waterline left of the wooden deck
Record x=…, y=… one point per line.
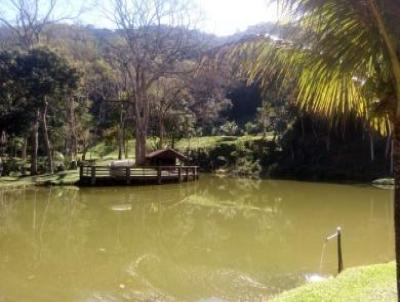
x=67, y=178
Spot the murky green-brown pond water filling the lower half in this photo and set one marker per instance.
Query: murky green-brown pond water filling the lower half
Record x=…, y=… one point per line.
x=219, y=239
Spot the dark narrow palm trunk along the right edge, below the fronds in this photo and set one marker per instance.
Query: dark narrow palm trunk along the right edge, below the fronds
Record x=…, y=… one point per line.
x=396, y=155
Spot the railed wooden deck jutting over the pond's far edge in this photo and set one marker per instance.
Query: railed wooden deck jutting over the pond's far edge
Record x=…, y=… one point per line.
x=90, y=175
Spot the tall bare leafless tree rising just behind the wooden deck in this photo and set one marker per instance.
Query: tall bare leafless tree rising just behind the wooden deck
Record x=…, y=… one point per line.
x=157, y=35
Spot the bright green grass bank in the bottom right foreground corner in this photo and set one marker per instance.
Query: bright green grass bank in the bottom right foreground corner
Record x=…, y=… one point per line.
x=376, y=283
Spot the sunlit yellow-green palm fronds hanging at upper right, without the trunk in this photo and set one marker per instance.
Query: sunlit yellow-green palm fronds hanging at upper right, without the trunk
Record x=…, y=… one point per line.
x=339, y=51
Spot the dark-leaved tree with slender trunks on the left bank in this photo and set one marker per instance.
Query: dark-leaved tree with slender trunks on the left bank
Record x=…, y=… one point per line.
x=40, y=77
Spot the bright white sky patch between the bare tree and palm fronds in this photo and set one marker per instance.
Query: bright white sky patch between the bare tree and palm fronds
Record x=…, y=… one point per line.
x=225, y=17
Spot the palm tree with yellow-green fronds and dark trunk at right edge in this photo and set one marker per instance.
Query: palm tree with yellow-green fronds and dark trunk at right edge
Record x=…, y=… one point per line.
x=344, y=58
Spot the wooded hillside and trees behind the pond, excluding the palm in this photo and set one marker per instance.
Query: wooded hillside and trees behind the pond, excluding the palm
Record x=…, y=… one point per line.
x=67, y=89
